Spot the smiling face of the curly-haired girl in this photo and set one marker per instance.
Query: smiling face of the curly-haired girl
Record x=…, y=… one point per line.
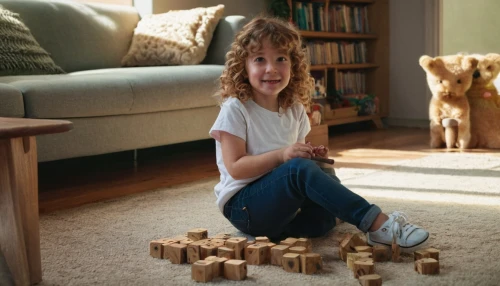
x=268, y=71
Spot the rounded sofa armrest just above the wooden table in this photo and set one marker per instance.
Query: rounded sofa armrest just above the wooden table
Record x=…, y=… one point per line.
x=11, y=101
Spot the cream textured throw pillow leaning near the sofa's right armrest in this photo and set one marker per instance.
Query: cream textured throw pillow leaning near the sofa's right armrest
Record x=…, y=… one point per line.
x=178, y=37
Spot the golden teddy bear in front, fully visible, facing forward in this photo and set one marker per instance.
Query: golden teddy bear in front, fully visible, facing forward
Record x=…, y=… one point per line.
x=449, y=77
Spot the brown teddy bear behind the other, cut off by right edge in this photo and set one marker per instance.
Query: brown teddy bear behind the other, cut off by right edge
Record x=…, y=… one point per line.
x=485, y=103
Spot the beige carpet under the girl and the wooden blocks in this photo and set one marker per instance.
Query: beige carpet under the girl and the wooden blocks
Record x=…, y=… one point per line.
x=455, y=196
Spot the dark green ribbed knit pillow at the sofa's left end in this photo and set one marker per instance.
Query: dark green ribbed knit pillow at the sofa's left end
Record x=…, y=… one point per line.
x=20, y=53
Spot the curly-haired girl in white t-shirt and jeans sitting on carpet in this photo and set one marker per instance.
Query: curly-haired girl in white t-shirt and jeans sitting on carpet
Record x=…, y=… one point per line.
x=268, y=184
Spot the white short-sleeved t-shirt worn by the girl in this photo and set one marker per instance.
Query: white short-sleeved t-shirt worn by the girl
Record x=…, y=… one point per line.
x=263, y=131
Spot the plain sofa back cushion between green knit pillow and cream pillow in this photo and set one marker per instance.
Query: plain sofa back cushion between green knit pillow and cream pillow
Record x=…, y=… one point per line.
x=79, y=36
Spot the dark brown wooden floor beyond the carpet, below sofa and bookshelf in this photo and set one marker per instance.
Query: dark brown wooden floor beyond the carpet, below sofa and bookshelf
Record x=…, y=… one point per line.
x=73, y=182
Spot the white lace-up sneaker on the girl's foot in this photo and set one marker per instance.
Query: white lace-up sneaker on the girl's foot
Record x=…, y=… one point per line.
x=408, y=236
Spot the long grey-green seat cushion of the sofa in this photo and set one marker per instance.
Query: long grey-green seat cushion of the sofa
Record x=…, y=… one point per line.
x=117, y=91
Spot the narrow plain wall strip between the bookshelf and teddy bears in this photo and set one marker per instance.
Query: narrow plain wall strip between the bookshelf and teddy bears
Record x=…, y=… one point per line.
x=408, y=103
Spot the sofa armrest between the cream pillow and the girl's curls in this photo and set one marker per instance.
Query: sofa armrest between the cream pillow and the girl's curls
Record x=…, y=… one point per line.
x=223, y=38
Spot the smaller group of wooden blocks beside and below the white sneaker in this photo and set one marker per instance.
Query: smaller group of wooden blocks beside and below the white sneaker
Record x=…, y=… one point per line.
x=361, y=258
